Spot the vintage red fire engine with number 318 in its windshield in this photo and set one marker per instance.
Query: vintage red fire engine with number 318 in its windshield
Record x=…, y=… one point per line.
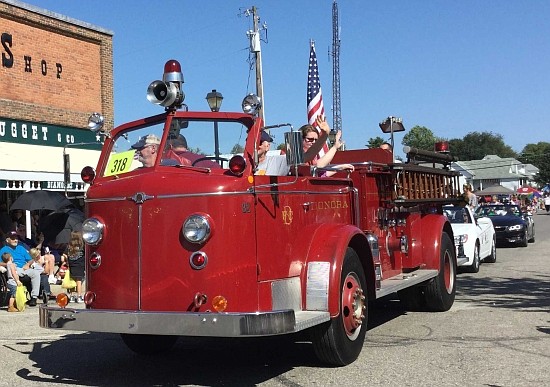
x=183, y=249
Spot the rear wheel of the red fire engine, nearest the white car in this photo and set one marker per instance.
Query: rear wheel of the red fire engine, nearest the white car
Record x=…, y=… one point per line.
x=440, y=291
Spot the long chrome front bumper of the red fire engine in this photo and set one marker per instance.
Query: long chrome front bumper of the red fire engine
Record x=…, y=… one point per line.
x=180, y=324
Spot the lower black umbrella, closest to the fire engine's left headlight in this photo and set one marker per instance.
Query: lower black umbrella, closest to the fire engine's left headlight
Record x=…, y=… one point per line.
x=57, y=226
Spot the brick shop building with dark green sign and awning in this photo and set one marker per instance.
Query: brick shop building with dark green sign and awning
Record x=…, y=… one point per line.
x=54, y=72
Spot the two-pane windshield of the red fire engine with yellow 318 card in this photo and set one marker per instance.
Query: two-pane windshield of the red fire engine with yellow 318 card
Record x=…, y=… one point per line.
x=189, y=143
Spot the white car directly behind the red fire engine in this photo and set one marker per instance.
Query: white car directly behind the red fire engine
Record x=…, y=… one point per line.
x=475, y=238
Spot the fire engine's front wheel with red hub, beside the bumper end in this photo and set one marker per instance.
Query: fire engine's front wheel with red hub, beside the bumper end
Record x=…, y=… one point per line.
x=340, y=340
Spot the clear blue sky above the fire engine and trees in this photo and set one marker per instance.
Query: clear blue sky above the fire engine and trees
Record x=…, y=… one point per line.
x=452, y=66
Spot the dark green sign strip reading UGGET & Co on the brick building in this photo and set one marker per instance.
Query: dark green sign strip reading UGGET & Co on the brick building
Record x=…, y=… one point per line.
x=32, y=133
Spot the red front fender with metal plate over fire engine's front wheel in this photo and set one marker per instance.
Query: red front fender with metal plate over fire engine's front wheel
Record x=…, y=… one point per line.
x=327, y=249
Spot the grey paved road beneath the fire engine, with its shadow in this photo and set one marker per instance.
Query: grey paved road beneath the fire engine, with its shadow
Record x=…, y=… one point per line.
x=496, y=334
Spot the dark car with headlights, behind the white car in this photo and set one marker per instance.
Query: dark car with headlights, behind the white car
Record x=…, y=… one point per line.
x=512, y=225
